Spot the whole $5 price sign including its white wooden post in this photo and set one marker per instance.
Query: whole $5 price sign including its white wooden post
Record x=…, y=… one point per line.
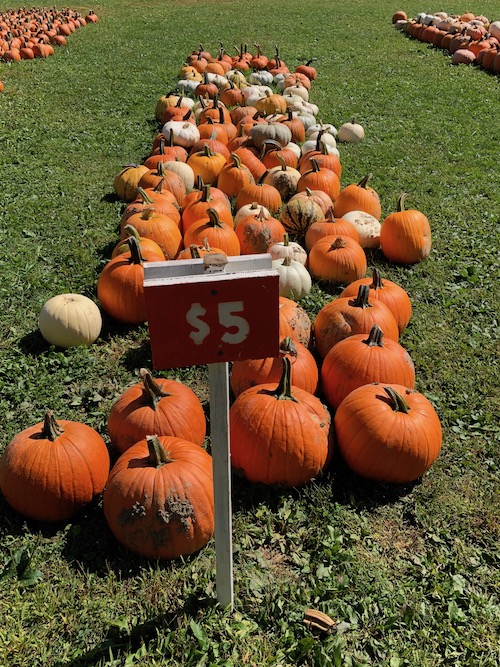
x=211, y=311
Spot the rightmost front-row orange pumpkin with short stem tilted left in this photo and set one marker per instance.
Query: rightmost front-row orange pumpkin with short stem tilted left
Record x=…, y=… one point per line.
x=388, y=433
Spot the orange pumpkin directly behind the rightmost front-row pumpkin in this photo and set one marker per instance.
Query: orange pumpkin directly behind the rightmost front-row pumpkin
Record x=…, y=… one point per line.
x=362, y=359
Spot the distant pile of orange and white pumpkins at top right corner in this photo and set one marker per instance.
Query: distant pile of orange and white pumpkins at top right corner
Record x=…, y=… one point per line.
x=469, y=39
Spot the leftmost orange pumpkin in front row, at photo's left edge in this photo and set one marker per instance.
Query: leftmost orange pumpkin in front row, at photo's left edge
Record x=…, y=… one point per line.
x=51, y=470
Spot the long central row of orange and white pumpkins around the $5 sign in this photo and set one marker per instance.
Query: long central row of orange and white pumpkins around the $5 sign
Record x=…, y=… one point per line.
x=242, y=166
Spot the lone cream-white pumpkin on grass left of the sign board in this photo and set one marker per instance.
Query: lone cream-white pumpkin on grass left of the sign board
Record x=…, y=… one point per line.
x=69, y=320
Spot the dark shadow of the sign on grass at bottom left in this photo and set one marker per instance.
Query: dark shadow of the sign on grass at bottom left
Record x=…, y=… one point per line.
x=121, y=640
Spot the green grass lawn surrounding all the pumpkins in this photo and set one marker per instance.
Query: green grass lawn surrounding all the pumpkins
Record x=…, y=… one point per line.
x=410, y=572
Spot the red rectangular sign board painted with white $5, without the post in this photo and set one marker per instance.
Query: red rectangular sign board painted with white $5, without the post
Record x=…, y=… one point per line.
x=213, y=318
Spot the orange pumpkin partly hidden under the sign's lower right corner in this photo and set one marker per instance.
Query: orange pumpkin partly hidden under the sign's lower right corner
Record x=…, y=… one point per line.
x=251, y=372
